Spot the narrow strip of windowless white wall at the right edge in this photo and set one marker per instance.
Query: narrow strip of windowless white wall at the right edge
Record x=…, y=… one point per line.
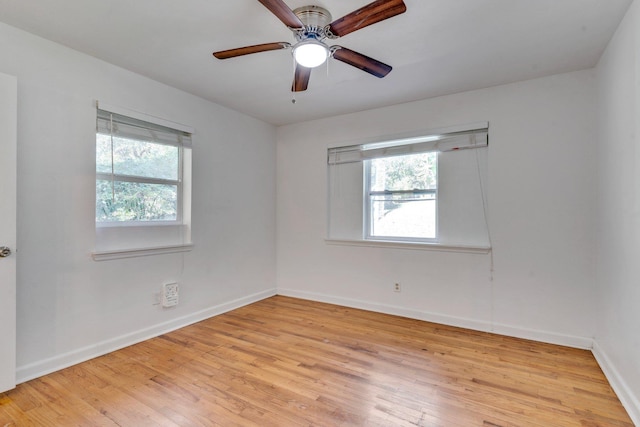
x=618, y=328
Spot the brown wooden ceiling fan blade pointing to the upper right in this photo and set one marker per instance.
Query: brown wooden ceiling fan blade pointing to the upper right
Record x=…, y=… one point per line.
x=374, y=12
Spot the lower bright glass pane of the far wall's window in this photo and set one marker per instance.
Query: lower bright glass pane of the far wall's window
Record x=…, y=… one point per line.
x=404, y=215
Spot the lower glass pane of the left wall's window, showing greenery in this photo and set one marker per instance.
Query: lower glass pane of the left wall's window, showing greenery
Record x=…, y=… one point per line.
x=132, y=201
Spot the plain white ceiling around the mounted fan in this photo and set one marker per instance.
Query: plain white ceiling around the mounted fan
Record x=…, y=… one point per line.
x=437, y=47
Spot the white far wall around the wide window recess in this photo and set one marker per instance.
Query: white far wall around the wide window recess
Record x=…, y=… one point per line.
x=541, y=209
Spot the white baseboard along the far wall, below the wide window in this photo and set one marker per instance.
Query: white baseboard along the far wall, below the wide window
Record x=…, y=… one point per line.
x=477, y=325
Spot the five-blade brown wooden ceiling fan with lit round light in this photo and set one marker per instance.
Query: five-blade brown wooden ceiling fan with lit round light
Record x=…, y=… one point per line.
x=311, y=26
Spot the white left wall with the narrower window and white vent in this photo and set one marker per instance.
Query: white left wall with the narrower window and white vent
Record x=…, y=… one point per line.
x=71, y=307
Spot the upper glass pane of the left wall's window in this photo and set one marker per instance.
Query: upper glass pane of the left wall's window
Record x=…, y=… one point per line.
x=137, y=158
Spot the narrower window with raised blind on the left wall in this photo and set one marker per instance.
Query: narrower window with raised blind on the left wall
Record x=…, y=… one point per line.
x=143, y=171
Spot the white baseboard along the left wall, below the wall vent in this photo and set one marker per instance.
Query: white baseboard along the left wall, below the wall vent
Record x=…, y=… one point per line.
x=47, y=366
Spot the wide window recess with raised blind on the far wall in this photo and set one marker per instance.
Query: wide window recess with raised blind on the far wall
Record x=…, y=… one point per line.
x=428, y=189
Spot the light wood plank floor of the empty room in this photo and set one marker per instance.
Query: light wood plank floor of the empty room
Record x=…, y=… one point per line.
x=290, y=362
